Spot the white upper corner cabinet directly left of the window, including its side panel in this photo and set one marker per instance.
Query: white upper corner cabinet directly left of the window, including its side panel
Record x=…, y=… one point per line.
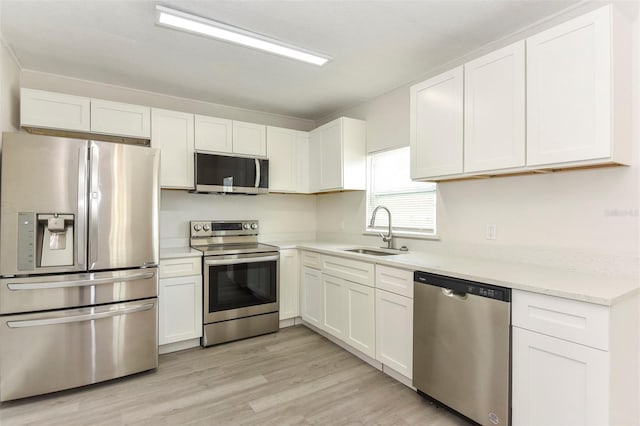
x=338, y=155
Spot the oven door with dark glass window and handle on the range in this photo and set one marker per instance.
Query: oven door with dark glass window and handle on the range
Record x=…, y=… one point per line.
x=242, y=285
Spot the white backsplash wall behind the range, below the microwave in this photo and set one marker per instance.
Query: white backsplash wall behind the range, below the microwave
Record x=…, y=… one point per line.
x=282, y=217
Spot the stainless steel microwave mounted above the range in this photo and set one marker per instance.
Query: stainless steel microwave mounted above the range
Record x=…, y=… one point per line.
x=228, y=174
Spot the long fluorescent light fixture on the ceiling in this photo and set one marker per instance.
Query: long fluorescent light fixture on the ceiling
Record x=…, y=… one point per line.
x=195, y=24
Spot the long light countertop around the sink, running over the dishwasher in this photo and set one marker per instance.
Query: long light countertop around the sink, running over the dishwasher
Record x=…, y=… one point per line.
x=586, y=287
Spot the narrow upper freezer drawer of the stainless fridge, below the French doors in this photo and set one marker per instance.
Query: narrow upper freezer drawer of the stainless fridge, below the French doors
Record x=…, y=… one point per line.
x=75, y=290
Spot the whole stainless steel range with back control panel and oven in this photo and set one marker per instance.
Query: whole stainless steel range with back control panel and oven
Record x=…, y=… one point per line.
x=240, y=280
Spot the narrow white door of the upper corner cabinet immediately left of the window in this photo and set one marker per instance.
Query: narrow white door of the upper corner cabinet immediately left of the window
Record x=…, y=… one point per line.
x=331, y=160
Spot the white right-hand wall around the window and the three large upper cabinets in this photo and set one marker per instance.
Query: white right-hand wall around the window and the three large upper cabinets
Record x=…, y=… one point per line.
x=585, y=219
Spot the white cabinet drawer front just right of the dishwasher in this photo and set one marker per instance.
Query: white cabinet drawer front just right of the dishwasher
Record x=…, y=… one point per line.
x=571, y=320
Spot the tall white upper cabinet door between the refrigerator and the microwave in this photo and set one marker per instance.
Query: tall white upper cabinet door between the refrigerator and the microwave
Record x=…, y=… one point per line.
x=172, y=133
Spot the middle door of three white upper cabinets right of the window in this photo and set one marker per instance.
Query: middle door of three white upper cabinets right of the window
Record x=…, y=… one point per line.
x=494, y=110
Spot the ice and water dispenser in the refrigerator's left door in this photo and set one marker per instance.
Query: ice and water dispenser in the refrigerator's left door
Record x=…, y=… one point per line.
x=45, y=240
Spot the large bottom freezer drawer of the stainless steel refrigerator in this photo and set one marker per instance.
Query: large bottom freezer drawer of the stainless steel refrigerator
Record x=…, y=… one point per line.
x=52, y=351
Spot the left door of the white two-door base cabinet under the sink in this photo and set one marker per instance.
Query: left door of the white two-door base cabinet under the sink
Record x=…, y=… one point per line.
x=334, y=291
